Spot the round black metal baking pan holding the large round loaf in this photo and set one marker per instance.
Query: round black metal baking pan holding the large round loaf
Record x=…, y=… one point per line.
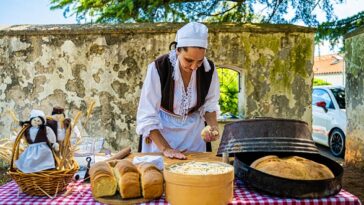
x=288, y=187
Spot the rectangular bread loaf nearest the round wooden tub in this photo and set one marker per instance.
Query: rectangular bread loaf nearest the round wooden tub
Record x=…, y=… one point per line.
x=152, y=181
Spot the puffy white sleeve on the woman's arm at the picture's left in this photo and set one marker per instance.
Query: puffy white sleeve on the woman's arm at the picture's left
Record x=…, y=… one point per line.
x=149, y=104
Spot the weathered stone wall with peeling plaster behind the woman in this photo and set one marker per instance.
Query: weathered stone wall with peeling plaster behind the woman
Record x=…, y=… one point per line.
x=74, y=65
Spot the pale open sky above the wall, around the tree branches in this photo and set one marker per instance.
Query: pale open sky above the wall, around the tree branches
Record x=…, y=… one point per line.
x=37, y=12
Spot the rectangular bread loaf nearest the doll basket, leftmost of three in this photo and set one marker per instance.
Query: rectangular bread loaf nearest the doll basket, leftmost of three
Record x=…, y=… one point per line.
x=103, y=182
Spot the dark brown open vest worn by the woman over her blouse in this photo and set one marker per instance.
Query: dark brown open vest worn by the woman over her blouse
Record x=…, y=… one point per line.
x=165, y=71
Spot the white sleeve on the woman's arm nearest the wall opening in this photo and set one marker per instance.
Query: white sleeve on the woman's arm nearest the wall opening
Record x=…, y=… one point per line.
x=212, y=98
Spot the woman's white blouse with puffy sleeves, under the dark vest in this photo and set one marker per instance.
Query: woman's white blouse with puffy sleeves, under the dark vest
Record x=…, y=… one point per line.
x=149, y=110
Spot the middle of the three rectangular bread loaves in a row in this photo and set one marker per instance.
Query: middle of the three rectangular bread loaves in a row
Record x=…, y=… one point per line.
x=127, y=177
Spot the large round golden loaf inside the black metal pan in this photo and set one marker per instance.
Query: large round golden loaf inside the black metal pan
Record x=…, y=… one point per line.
x=292, y=167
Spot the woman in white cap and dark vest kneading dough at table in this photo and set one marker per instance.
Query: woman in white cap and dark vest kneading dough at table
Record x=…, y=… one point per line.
x=180, y=93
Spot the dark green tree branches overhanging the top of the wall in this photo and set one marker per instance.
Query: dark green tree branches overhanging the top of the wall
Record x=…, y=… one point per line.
x=242, y=11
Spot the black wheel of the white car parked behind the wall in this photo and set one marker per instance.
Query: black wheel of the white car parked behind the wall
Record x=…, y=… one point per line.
x=337, y=143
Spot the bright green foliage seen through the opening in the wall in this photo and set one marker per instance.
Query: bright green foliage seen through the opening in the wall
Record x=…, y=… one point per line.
x=229, y=90
